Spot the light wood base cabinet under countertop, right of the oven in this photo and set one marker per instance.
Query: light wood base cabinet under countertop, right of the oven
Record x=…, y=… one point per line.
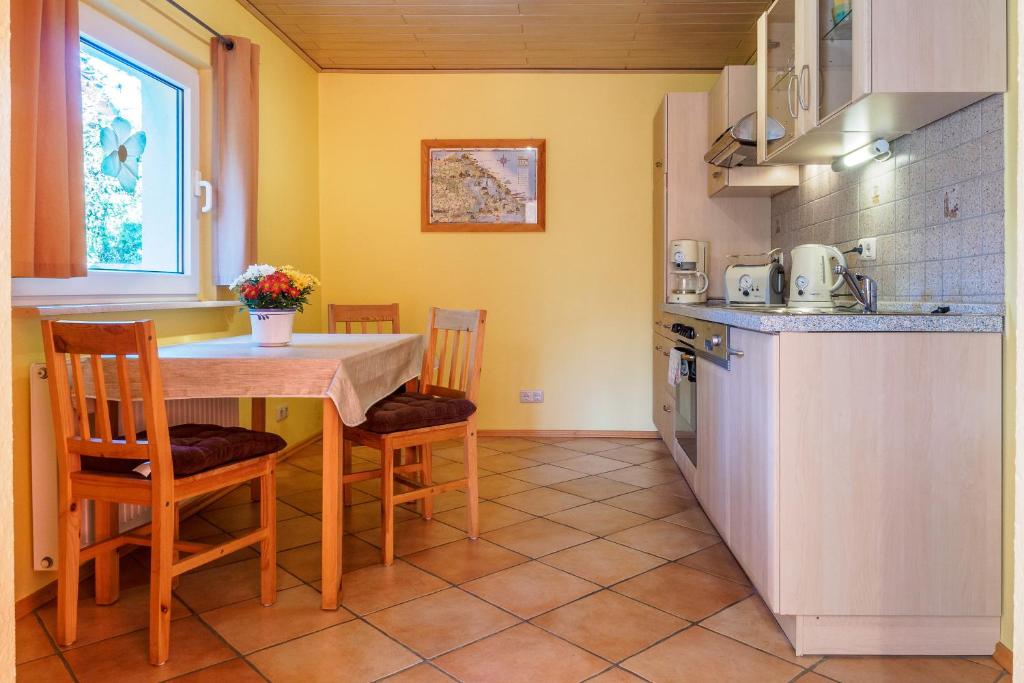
x=859, y=488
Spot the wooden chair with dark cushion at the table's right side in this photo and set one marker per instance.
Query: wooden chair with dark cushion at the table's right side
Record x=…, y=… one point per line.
x=449, y=385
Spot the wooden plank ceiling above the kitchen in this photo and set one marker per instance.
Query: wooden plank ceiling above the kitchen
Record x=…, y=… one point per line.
x=488, y=35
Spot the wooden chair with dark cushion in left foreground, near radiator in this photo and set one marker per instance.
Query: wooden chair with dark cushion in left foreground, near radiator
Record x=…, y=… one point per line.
x=109, y=479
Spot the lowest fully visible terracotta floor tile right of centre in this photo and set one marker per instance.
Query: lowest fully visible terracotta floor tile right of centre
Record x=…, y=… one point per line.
x=611, y=625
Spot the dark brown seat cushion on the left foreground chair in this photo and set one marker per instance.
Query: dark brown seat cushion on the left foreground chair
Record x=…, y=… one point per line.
x=197, y=449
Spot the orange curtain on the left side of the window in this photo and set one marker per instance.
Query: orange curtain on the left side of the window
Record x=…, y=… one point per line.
x=48, y=190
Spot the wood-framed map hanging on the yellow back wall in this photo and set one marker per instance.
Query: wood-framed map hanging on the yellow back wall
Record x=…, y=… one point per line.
x=483, y=186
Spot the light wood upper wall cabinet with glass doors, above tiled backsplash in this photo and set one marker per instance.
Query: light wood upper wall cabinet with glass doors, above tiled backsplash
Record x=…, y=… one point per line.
x=839, y=74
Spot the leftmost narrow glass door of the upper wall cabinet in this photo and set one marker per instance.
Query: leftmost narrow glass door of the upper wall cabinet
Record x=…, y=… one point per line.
x=782, y=74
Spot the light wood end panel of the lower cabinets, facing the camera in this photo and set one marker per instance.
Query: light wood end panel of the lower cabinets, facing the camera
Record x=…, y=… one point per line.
x=890, y=475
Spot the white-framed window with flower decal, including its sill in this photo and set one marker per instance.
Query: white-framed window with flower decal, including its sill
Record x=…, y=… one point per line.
x=140, y=130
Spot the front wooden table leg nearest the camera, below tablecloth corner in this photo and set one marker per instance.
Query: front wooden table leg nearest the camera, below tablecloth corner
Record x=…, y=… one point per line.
x=332, y=524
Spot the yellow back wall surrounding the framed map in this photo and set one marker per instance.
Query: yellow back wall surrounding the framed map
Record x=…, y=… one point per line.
x=570, y=309
